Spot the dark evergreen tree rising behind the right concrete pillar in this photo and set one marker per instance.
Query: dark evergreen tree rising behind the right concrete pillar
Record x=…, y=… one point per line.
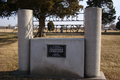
x=108, y=10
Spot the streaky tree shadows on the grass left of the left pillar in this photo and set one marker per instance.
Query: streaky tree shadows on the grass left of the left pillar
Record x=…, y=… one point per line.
x=7, y=38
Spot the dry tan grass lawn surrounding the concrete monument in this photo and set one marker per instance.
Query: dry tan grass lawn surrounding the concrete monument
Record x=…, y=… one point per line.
x=110, y=55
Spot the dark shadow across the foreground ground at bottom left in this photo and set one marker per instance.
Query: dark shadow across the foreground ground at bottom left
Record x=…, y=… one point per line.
x=8, y=75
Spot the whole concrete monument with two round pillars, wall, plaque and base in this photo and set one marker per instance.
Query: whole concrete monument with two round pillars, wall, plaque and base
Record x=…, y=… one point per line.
x=61, y=57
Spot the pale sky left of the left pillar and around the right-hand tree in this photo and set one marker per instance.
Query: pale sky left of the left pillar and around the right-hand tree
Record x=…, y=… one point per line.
x=13, y=20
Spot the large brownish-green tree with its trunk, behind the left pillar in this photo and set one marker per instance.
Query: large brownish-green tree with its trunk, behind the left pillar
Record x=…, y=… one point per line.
x=41, y=9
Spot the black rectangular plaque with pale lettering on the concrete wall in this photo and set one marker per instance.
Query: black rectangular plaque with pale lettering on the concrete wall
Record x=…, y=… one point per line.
x=56, y=50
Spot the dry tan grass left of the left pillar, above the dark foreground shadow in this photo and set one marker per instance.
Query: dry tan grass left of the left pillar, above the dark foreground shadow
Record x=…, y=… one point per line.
x=8, y=52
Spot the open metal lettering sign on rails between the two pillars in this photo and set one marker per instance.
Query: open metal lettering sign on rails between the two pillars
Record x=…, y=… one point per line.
x=69, y=24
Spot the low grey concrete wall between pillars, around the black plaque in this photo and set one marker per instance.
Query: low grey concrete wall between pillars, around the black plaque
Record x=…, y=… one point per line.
x=71, y=66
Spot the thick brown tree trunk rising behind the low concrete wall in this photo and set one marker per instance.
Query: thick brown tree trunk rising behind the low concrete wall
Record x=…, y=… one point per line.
x=40, y=32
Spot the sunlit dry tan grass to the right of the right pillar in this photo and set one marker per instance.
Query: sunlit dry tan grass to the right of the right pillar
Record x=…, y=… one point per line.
x=110, y=57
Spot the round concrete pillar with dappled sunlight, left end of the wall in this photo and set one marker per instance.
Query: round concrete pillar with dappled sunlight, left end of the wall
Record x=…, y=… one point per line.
x=25, y=33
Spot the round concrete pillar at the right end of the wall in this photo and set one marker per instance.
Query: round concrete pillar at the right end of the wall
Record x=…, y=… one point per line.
x=93, y=41
